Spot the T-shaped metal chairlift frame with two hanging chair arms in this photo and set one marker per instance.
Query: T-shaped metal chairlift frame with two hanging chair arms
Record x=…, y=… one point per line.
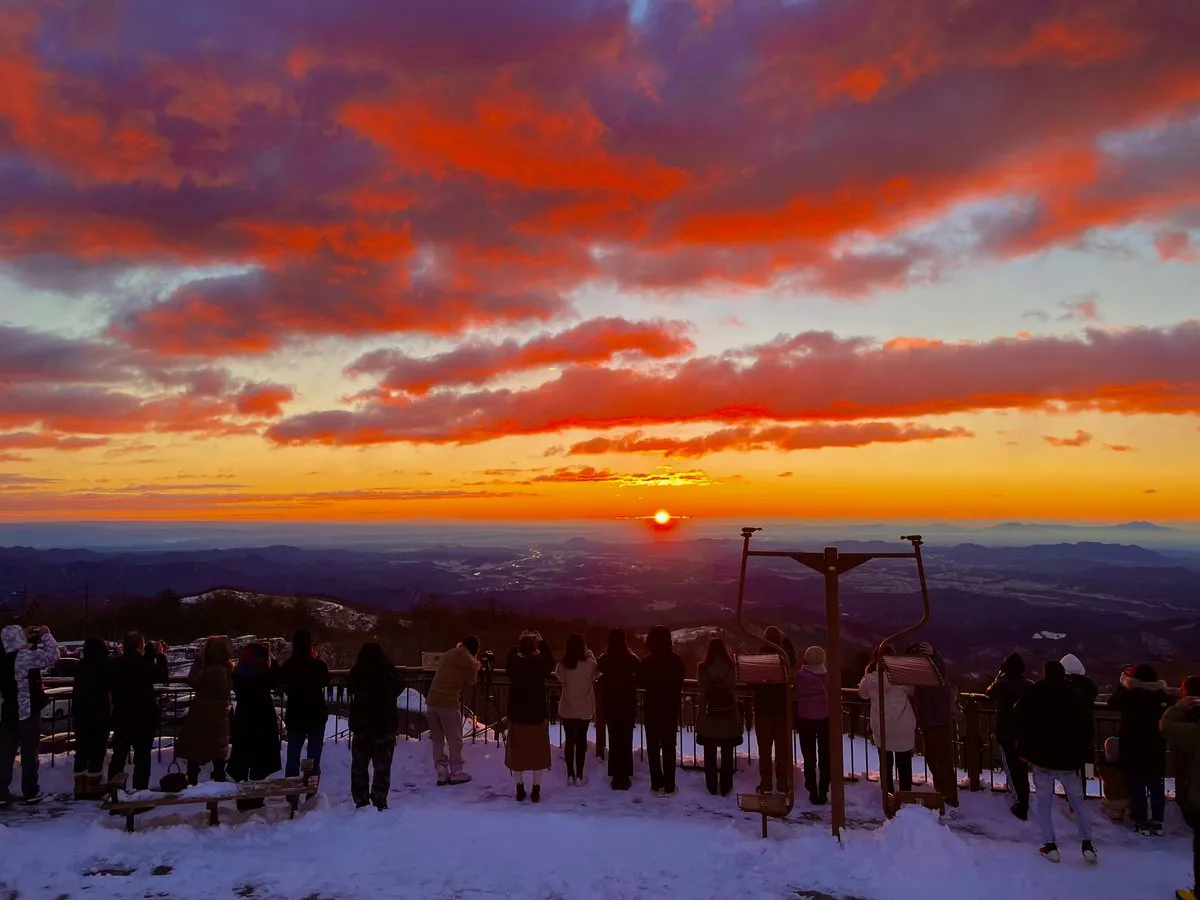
x=832, y=565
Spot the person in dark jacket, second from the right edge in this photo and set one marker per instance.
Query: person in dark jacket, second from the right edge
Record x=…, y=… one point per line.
x=1142, y=700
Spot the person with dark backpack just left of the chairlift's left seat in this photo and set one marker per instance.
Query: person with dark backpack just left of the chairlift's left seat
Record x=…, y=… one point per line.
x=719, y=717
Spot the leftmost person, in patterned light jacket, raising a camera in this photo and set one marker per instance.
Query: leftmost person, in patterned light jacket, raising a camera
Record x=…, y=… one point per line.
x=22, y=700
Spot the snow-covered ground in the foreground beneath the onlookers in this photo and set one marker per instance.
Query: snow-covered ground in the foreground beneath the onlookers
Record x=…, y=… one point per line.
x=476, y=842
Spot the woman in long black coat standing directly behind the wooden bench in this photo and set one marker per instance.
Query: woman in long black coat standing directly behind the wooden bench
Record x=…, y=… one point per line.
x=256, y=724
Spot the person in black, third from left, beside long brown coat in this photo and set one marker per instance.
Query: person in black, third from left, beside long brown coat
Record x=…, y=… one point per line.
x=136, y=712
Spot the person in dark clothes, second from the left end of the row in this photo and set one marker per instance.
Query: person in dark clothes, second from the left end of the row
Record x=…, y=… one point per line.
x=92, y=711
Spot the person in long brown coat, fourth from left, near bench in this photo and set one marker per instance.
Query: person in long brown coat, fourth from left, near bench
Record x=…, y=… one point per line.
x=205, y=734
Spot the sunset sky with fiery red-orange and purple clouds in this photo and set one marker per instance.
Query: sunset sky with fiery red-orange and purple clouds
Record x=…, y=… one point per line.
x=574, y=259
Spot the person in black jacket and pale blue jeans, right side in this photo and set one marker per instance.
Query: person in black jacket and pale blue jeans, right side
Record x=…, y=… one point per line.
x=1054, y=735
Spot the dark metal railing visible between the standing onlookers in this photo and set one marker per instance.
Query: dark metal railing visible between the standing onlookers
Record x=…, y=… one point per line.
x=487, y=704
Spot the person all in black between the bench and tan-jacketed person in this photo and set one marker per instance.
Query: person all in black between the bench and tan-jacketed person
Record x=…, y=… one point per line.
x=375, y=687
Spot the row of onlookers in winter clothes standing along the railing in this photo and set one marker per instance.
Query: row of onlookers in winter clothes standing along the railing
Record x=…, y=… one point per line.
x=1045, y=729
